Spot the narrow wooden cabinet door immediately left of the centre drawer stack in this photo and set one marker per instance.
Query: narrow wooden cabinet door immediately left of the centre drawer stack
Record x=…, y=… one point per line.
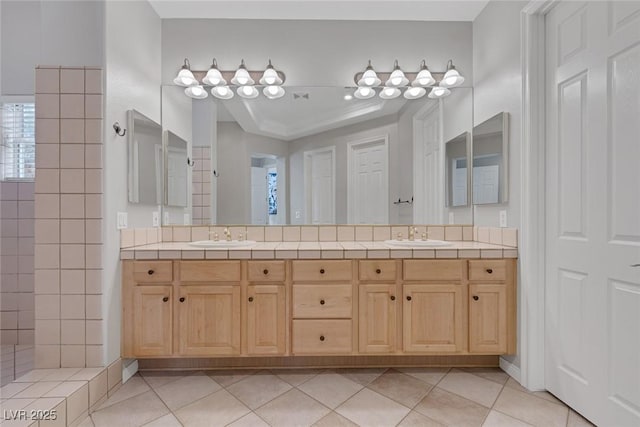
x=266, y=322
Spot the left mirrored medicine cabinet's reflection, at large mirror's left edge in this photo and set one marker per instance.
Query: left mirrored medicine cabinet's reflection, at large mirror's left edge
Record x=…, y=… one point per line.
x=177, y=183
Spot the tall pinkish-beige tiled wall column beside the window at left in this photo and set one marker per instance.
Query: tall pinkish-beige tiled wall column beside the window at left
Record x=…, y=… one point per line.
x=68, y=212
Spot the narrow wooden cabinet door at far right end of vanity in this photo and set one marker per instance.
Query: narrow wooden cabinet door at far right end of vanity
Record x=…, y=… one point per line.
x=487, y=318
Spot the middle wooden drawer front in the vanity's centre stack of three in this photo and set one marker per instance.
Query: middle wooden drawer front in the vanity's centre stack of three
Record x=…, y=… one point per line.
x=322, y=301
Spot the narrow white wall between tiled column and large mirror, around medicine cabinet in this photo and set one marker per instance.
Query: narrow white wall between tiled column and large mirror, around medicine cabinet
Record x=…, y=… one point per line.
x=133, y=49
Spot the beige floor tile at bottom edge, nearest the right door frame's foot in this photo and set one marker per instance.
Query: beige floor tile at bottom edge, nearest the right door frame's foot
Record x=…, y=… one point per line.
x=531, y=409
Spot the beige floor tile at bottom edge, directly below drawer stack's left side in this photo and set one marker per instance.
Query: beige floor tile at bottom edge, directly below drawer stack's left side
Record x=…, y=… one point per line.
x=294, y=408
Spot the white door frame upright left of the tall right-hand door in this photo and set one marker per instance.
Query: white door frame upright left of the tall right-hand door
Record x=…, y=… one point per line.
x=531, y=301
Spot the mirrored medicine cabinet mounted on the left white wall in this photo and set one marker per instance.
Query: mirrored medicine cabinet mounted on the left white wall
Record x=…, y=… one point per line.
x=145, y=159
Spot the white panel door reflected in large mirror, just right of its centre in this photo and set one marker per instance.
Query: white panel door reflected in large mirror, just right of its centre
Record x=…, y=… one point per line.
x=368, y=190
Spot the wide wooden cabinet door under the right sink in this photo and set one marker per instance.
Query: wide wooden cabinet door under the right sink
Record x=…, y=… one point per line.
x=433, y=318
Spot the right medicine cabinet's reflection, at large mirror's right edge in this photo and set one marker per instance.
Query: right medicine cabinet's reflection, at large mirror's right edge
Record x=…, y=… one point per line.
x=456, y=170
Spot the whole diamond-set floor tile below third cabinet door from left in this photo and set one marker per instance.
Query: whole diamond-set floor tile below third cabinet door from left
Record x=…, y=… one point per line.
x=258, y=389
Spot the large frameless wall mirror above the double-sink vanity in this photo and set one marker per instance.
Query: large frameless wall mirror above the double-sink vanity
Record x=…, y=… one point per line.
x=319, y=156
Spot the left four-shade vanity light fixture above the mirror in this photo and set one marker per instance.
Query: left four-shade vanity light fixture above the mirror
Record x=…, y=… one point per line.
x=241, y=82
